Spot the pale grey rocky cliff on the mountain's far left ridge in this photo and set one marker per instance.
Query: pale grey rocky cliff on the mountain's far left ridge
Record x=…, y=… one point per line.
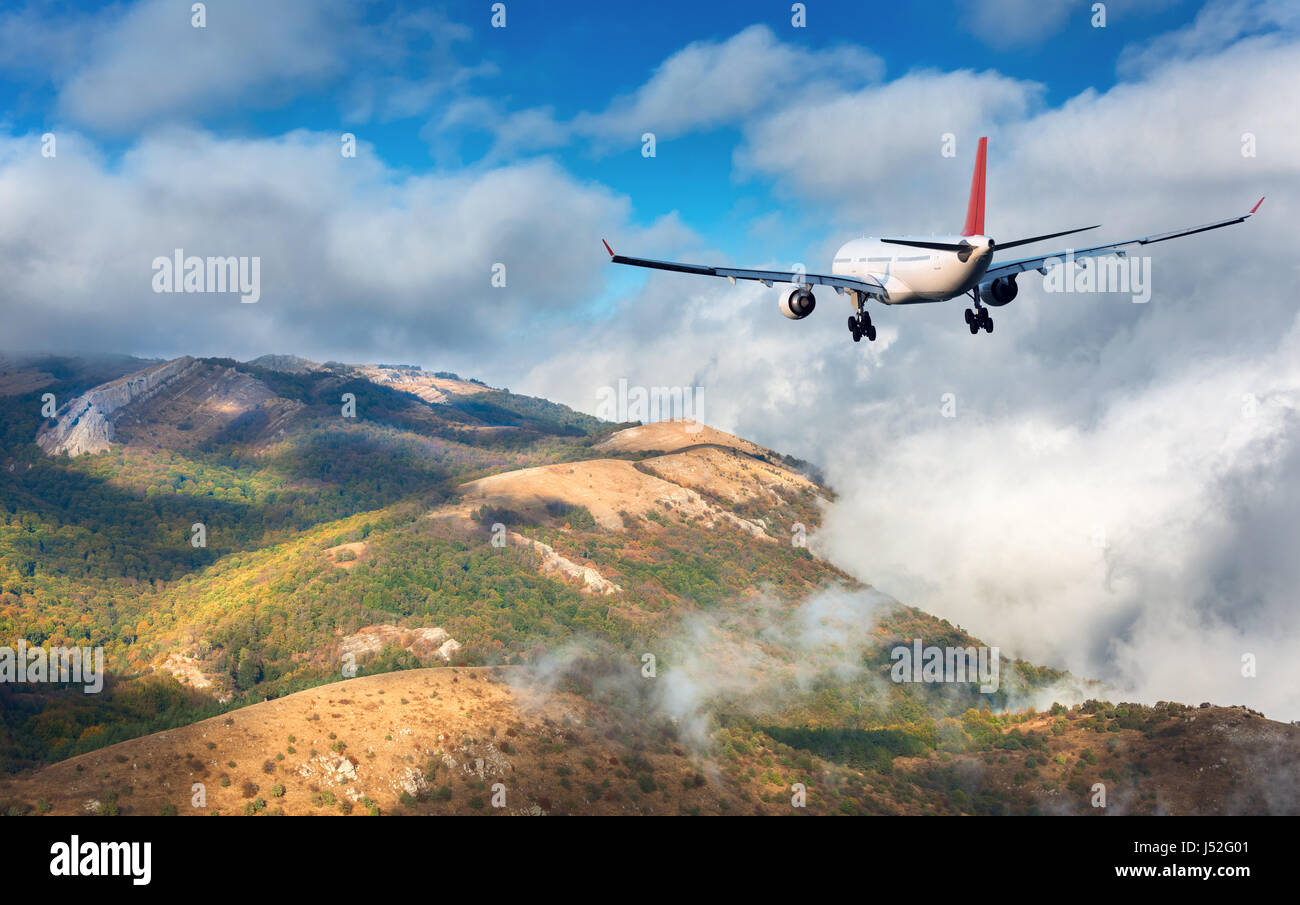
x=86, y=425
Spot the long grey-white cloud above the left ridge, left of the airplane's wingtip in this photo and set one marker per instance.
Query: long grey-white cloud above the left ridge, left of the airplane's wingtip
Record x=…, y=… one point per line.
x=357, y=259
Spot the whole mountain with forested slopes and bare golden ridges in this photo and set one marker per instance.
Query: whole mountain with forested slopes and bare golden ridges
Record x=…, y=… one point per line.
x=254, y=544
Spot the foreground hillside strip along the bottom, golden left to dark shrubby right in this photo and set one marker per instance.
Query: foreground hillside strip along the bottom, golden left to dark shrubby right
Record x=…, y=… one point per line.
x=448, y=741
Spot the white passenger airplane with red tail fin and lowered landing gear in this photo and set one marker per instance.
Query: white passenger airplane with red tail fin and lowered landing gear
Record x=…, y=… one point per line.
x=952, y=266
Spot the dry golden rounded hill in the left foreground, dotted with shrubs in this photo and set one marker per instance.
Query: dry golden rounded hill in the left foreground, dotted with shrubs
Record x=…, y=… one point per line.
x=423, y=742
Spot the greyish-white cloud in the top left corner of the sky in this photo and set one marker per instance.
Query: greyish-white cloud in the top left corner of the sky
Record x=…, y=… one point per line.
x=124, y=70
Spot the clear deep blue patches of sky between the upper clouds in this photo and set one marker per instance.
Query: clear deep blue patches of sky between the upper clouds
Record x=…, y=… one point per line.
x=560, y=58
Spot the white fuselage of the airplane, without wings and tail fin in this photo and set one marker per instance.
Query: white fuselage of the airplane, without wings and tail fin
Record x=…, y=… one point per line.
x=915, y=276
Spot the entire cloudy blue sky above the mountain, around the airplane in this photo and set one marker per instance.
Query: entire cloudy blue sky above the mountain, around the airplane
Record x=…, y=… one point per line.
x=1115, y=491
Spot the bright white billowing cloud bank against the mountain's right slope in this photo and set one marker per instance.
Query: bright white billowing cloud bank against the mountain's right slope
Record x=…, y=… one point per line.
x=1098, y=544
